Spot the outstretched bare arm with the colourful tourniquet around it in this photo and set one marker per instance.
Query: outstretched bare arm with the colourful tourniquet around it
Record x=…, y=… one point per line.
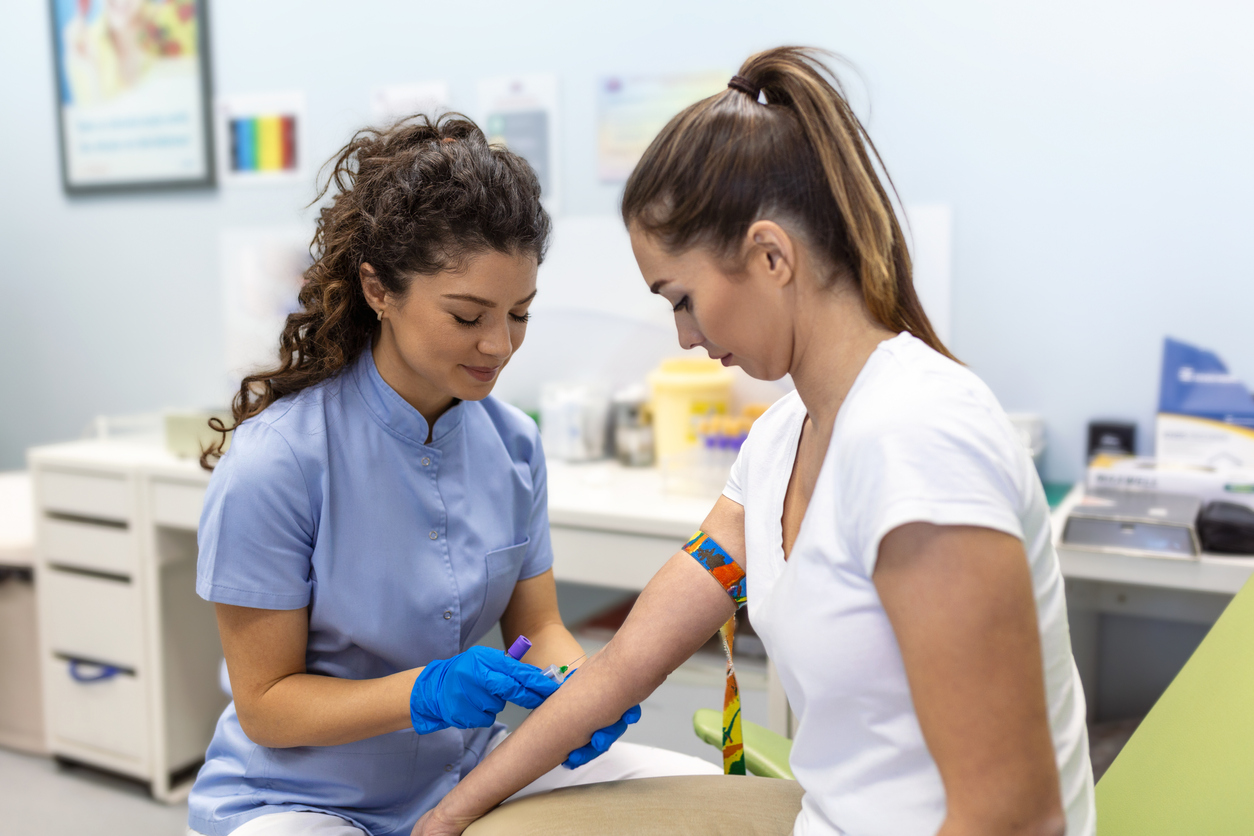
x=680, y=610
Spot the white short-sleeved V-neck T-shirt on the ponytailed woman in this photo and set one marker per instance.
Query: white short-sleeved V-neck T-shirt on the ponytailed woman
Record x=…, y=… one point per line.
x=919, y=439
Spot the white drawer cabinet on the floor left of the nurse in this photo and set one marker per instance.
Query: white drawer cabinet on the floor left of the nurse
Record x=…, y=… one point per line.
x=129, y=652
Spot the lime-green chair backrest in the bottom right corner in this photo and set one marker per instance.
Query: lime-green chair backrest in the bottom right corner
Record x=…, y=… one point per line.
x=1189, y=769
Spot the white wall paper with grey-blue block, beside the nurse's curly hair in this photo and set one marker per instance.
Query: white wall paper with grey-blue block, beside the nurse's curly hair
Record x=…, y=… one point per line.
x=521, y=112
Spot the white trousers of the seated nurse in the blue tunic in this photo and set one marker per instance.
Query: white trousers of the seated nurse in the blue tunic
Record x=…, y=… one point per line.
x=621, y=763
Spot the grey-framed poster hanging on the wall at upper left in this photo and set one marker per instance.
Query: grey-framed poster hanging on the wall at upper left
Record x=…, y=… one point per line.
x=134, y=95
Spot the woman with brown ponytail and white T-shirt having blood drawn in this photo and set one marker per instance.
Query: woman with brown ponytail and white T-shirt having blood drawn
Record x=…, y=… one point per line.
x=893, y=528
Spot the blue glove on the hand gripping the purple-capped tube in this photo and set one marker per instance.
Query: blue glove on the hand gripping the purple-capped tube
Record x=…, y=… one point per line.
x=470, y=690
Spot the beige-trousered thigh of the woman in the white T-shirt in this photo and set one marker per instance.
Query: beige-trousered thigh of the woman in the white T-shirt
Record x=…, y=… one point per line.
x=693, y=805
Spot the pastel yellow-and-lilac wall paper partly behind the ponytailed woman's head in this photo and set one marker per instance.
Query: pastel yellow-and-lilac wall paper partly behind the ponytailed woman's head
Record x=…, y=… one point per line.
x=631, y=111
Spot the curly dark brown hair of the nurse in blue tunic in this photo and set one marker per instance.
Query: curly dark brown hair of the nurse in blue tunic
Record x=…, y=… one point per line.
x=417, y=199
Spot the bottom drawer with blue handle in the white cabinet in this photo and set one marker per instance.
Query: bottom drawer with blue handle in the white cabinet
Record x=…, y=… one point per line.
x=105, y=715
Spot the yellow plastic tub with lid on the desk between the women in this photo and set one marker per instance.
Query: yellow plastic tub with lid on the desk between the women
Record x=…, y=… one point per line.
x=684, y=392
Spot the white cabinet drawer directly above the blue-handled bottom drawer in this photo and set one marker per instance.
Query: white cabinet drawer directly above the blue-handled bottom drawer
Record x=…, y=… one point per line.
x=95, y=619
